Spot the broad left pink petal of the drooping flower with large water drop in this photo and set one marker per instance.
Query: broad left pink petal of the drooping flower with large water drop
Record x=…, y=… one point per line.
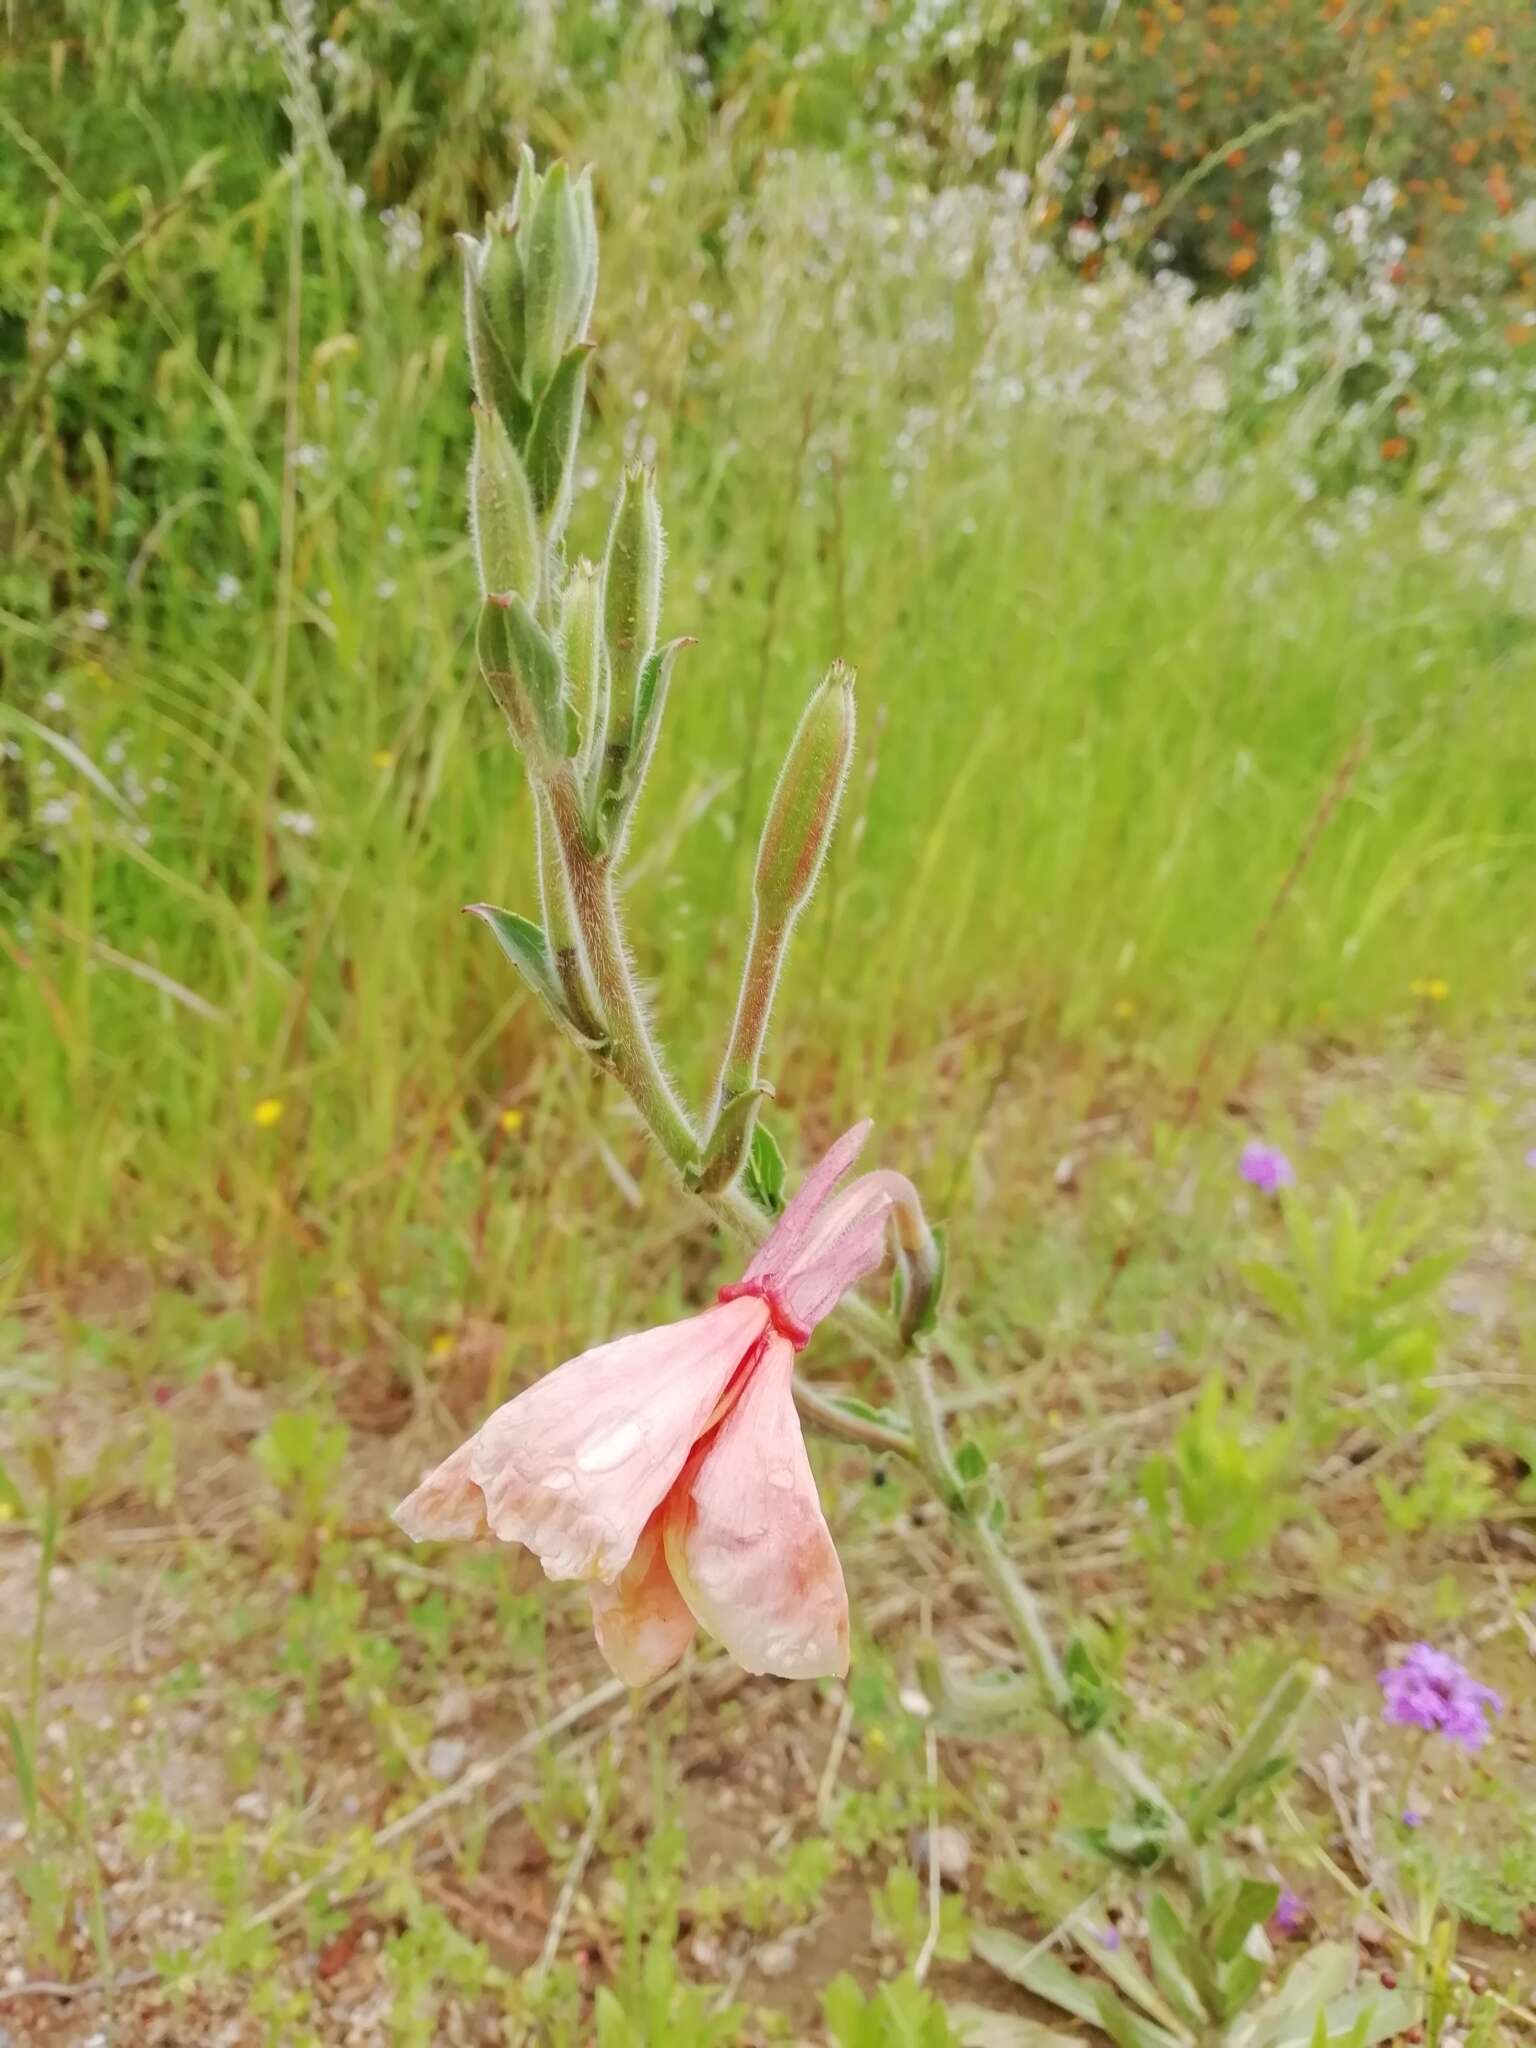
x=577, y=1465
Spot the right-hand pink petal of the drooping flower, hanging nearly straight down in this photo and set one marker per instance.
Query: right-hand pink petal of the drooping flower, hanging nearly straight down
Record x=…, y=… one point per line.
x=749, y=1543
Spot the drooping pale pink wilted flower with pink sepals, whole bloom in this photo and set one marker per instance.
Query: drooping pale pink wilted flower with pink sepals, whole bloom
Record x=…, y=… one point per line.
x=669, y=1469
